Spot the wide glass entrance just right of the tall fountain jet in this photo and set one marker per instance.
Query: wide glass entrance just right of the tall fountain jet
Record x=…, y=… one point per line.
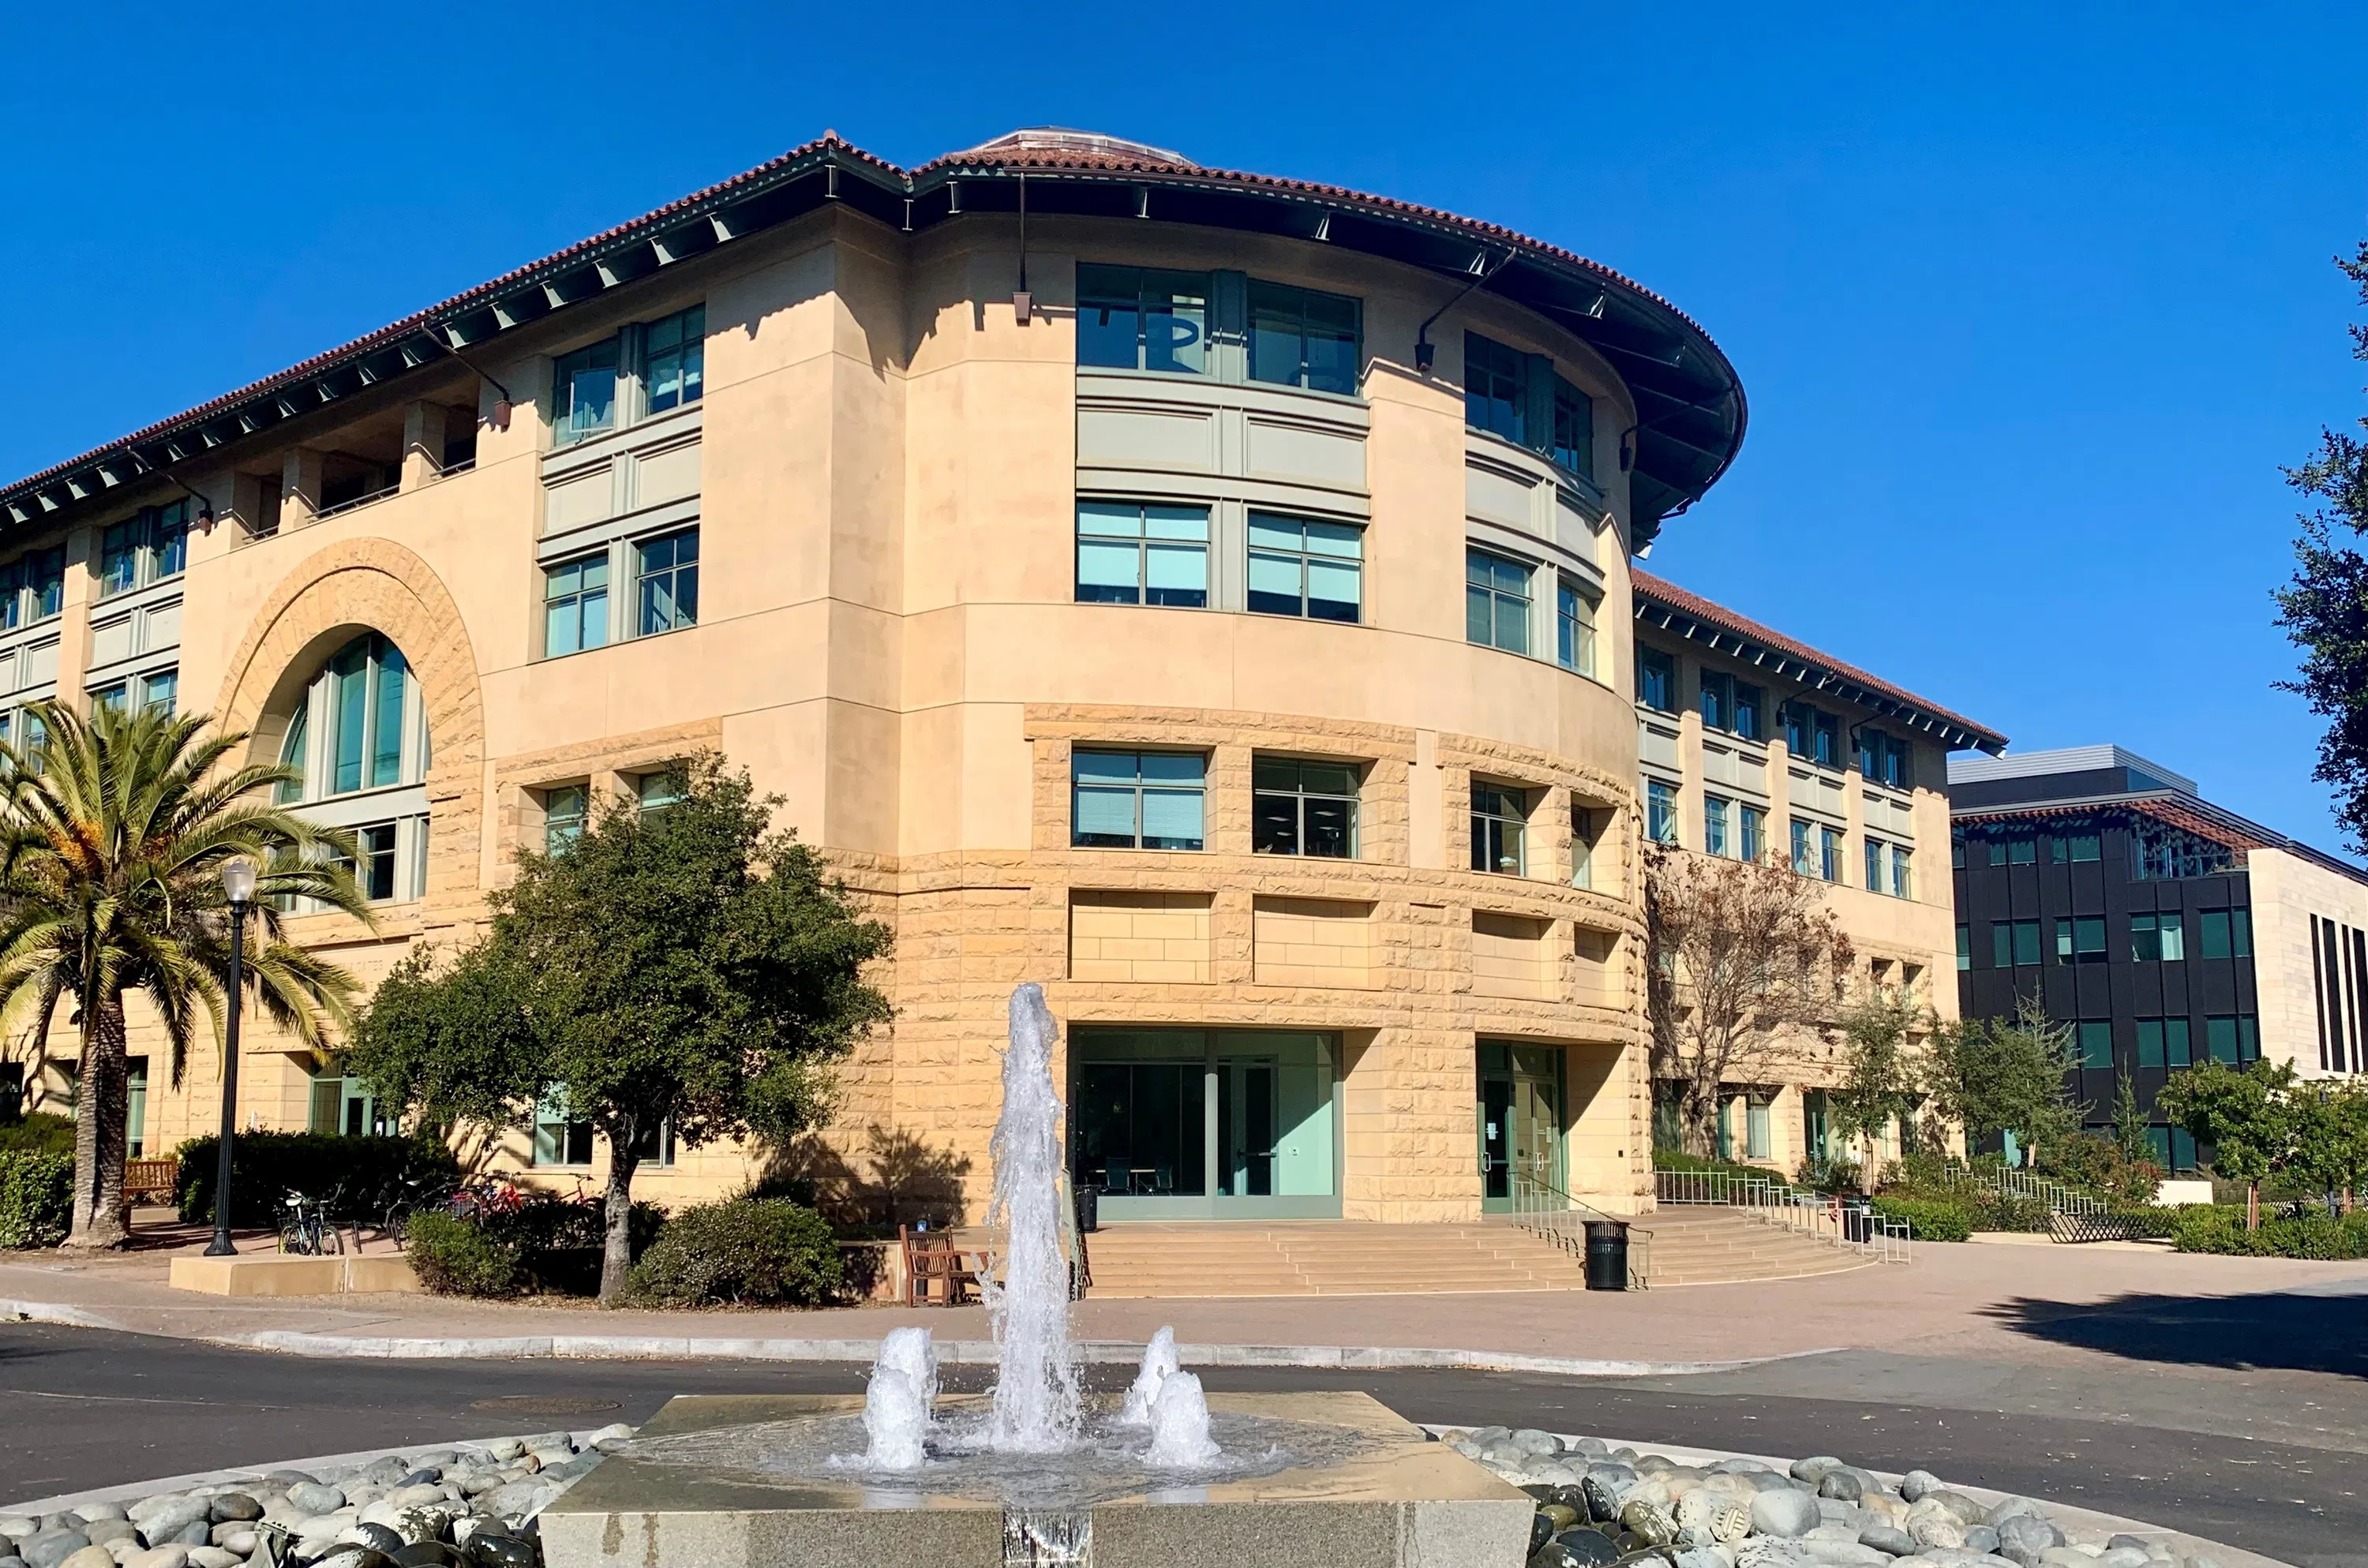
x=1206, y=1124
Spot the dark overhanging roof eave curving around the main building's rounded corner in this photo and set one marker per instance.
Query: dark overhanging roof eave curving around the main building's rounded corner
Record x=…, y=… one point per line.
x=1690, y=401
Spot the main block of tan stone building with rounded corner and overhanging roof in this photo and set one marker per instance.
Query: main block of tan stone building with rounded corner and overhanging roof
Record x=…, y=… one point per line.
x=1206, y=596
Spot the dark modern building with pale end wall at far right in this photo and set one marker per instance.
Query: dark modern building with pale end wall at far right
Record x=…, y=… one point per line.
x=2161, y=927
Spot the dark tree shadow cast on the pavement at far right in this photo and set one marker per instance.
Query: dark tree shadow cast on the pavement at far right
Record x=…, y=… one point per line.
x=2282, y=1332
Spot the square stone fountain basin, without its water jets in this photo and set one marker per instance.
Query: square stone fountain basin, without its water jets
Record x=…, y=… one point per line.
x=1382, y=1496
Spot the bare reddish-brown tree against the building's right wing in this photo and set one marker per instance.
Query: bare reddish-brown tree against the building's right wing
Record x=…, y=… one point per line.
x=1744, y=960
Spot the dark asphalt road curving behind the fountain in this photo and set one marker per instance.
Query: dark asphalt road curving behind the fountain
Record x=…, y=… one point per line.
x=84, y=1408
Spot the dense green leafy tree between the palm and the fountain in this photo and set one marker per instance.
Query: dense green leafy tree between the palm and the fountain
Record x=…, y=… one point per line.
x=676, y=968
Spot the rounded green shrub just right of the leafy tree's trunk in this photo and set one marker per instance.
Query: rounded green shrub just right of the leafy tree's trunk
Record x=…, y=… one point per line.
x=747, y=1252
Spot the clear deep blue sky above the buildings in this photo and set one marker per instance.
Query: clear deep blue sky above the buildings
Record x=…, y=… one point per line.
x=2031, y=302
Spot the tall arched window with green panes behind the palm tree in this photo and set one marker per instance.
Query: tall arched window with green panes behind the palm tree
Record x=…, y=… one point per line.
x=359, y=747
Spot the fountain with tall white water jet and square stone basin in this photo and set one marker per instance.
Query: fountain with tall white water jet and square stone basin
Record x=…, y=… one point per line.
x=1036, y=1474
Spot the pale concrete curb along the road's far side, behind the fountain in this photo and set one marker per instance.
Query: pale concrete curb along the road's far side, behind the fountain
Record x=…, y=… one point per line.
x=958, y=1354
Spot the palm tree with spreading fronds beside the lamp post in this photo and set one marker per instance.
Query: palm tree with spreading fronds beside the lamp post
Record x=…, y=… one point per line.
x=112, y=842
